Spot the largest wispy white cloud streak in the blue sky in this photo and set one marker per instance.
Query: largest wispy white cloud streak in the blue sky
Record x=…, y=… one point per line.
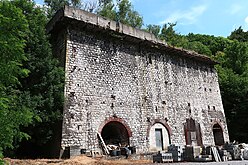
x=186, y=17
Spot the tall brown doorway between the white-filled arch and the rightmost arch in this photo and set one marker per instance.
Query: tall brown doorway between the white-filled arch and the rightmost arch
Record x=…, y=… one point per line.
x=192, y=131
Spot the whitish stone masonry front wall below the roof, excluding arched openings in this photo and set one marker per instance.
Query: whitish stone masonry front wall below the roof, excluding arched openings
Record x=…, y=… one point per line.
x=107, y=77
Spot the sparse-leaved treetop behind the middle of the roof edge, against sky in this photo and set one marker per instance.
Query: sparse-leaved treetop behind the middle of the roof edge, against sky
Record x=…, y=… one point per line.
x=121, y=12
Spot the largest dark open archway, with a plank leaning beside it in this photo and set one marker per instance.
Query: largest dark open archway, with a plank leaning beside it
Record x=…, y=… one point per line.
x=115, y=133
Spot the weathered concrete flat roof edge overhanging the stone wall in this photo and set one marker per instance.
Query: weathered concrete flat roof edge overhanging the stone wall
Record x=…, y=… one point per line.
x=104, y=23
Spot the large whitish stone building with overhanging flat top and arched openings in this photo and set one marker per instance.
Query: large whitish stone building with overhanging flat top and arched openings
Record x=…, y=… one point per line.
x=132, y=88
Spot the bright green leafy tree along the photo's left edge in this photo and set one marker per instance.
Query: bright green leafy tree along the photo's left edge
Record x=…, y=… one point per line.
x=13, y=114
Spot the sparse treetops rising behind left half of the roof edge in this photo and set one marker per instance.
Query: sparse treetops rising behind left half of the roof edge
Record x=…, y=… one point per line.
x=120, y=10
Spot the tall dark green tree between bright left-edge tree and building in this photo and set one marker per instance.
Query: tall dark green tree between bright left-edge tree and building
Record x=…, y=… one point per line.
x=43, y=88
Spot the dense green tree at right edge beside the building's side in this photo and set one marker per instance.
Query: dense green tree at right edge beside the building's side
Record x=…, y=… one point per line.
x=234, y=87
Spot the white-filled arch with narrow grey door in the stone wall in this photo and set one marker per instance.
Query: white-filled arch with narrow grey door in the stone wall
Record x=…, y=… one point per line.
x=159, y=137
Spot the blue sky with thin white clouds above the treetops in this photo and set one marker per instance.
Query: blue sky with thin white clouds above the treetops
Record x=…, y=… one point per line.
x=212, y=17
